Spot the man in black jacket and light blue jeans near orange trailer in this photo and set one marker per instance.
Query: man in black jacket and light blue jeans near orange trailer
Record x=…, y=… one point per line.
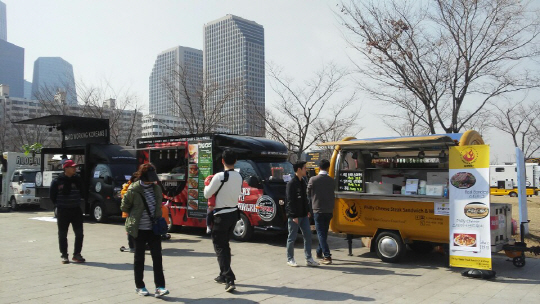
x=297, y=209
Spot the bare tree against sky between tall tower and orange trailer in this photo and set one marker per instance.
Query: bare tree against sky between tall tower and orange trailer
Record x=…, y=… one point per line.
x=311, y=112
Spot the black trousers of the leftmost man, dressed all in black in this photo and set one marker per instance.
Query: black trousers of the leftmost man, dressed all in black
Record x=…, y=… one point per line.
x=64, y=217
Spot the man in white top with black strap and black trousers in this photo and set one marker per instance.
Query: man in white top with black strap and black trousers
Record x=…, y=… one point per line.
x=229, y=185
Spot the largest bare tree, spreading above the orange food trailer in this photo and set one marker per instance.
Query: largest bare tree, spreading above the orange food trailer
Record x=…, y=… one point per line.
x=452, y=56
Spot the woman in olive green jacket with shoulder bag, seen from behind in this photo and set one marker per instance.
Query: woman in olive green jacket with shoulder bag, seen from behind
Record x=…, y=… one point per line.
x=142, y=202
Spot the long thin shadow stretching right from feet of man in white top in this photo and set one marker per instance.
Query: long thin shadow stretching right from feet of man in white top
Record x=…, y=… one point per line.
x=301, y=293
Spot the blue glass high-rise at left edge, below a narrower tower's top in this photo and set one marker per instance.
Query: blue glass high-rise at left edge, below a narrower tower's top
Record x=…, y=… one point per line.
x=12, y=68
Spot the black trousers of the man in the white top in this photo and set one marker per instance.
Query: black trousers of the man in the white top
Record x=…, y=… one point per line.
x=221, y=232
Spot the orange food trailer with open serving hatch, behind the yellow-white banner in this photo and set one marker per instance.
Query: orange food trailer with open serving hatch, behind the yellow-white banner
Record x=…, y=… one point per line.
x=395, y=191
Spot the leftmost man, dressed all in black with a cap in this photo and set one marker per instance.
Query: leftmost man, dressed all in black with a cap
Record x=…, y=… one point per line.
x=65, y=193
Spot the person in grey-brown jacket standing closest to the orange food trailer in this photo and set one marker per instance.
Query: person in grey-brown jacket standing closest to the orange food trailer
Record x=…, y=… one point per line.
x=321, y=192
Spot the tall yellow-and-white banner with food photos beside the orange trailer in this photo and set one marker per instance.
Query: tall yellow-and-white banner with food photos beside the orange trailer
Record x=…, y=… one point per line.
x=470, y=236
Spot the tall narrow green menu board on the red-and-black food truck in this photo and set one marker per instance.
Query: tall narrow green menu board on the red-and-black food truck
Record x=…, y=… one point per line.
x=200, y=166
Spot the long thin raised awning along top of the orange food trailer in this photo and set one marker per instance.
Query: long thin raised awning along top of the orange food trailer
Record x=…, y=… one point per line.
x=435, y=142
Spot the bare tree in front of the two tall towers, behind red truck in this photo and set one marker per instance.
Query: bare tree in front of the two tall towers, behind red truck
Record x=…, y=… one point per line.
x=199, y=103
